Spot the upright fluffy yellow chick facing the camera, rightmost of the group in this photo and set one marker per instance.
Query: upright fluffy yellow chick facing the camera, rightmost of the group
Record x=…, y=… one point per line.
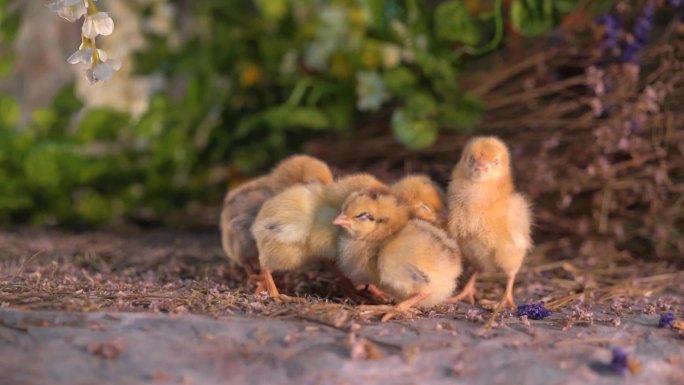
x=490, y=221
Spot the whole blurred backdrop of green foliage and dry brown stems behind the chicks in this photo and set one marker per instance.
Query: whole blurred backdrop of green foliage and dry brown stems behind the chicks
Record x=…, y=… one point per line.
x=587, y=93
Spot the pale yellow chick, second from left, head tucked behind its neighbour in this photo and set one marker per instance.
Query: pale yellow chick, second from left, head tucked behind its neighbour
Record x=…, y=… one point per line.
x=294, y=228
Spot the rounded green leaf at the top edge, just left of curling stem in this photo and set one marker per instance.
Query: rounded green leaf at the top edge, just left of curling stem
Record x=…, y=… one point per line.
x=454, y=23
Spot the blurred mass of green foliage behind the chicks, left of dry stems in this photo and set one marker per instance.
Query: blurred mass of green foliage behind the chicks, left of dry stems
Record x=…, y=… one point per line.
x=256, y=79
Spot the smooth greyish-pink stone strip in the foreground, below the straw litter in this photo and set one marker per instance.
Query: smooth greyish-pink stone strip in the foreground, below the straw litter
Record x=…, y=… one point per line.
x=131, y=348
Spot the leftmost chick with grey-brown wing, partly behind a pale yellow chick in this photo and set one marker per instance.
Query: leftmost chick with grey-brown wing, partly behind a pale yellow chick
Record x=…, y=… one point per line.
x=241, y=205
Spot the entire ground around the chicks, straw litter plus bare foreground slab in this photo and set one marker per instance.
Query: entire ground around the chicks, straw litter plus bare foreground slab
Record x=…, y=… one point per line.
x=165, y=307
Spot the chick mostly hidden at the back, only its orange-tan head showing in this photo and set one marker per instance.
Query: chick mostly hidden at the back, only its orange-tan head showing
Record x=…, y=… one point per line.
x=426, y=199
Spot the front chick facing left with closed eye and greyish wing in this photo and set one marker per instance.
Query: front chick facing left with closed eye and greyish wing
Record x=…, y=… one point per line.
x=412, y=260
